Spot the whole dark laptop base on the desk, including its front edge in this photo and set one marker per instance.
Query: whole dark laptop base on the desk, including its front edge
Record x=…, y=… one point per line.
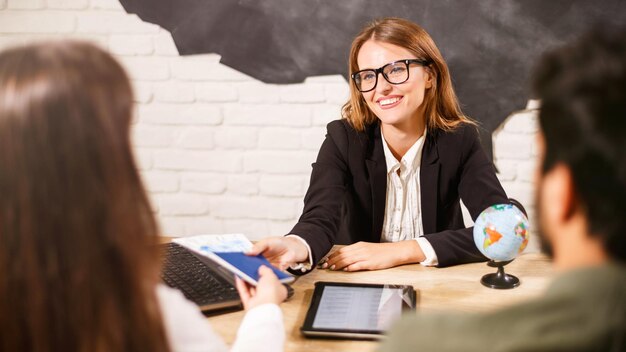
x=200, y=279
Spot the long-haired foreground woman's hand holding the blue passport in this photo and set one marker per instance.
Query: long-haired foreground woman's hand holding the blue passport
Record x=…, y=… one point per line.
x=268, y=289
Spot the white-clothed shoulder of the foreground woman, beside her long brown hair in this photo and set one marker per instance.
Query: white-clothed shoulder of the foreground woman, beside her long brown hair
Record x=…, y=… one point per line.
x=185, y=327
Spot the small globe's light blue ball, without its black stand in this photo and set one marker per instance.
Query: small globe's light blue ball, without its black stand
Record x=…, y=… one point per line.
x=501, y=232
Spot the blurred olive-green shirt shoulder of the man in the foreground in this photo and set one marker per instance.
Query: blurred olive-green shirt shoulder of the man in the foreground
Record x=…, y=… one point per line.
x=545, y=323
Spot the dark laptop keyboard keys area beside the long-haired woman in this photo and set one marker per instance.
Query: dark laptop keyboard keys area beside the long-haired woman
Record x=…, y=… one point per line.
x=198, y=282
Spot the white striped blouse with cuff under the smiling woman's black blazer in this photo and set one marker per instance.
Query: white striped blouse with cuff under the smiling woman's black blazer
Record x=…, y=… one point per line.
x=403, y=207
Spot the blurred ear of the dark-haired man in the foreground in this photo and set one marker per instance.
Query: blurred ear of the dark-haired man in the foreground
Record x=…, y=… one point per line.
x=559, y=193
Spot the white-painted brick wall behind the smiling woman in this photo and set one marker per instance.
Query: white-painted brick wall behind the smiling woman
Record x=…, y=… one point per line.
x=220, y=151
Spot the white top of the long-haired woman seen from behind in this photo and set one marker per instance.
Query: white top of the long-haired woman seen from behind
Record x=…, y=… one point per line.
x=188, y=330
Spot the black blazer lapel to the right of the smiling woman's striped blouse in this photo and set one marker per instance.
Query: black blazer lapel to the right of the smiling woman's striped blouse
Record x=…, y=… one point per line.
x=429, y=183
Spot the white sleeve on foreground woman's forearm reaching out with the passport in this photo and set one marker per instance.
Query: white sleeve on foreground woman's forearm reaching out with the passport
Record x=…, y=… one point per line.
x=262, y=329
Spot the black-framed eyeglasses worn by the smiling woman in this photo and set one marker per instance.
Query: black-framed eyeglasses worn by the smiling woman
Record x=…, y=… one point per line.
x=394, y=72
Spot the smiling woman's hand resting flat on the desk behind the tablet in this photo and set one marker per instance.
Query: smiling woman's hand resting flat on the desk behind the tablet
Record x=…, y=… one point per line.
x=374, y=256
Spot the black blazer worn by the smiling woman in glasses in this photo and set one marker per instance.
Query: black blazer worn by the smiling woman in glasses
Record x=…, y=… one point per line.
x=345, y=202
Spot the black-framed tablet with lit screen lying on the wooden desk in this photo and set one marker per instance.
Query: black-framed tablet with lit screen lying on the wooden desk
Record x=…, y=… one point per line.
x=356, y=311
